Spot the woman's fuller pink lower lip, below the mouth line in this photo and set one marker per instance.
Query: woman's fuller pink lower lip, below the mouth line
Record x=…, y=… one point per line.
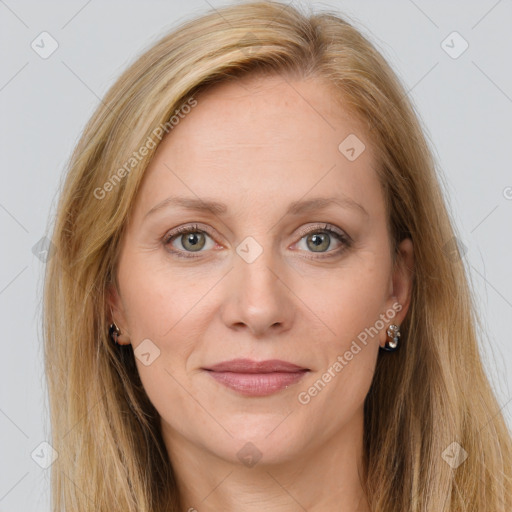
x=257, y=384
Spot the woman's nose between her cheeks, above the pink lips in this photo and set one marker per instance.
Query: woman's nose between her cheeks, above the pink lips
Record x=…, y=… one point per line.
x=257, y=297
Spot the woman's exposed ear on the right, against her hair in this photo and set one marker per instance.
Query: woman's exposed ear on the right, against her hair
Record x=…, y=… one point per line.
x=401, y=283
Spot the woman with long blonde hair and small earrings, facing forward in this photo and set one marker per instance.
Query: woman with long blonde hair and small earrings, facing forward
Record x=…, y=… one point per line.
x=251, y=304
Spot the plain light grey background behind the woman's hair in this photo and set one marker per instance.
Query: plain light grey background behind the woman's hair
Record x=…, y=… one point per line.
x=465, y=104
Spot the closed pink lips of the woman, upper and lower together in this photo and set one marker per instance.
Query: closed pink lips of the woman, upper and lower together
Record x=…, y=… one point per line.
x=256, y=378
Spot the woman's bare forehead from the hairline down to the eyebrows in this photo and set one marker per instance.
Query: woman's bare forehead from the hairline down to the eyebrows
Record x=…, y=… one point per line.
x=258, y=138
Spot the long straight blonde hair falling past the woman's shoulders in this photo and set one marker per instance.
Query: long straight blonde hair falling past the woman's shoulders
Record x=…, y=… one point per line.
x=429, y=394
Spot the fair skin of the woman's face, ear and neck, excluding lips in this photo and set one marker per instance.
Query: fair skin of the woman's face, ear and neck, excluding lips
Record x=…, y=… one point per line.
x=258, y=145
